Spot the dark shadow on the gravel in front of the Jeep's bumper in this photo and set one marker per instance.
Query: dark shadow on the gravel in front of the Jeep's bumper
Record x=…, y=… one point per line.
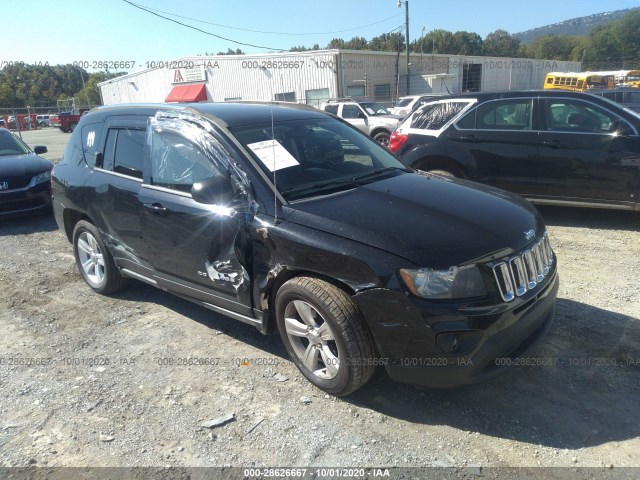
x=586, y=392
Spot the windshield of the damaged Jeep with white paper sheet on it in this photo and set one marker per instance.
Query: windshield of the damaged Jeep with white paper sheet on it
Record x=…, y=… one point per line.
x=310, y=157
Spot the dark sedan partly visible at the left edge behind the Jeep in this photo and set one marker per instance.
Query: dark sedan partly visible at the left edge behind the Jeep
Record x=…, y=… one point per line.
x=24, y=177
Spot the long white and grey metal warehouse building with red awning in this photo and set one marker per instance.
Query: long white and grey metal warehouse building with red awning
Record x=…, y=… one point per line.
x=315, y=76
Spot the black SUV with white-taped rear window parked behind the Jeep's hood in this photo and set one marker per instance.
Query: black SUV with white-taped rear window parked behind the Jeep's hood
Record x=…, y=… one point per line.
x=552, y=147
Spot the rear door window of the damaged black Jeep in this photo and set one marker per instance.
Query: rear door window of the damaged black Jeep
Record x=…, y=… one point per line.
x=124, y=151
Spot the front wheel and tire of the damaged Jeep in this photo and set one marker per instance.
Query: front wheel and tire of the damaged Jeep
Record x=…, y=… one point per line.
x=325, y=335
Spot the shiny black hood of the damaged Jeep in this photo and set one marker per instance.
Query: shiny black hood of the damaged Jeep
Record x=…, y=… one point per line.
x=432, y=222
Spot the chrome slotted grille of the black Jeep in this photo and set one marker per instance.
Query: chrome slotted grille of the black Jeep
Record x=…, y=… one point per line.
x=522, y=273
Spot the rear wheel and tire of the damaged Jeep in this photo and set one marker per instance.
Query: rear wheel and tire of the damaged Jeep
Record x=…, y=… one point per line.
x=94, y=260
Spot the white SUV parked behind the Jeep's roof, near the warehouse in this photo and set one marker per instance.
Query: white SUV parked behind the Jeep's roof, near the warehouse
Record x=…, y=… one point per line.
x=368, y=116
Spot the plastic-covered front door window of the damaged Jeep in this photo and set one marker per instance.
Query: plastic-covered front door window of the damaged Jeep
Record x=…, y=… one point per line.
x=177, y=163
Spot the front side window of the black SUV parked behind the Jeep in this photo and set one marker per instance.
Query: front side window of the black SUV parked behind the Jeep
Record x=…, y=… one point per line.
x=566, y=115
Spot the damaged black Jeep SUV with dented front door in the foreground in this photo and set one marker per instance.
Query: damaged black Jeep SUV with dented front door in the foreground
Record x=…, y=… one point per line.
x=291, y=220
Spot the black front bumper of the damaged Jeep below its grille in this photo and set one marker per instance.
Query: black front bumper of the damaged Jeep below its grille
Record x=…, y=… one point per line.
x=406, y=331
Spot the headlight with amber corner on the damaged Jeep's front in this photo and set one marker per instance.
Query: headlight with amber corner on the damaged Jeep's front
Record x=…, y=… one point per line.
x=455, y=282
